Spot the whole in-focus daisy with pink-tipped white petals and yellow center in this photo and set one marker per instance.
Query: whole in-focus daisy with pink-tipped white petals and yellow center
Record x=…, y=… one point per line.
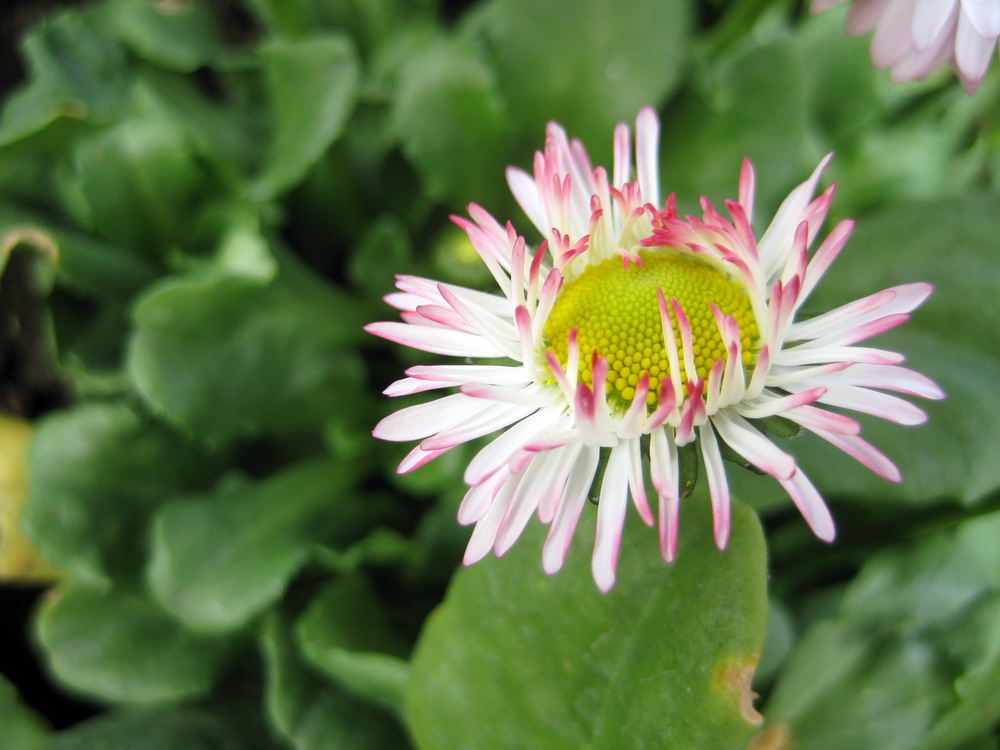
x=630, y=335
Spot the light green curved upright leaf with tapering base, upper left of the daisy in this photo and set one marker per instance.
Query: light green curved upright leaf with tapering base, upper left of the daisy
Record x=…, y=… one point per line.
x=313, y=85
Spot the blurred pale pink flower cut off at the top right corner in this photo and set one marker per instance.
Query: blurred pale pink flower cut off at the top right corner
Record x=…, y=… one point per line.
x=914, y=37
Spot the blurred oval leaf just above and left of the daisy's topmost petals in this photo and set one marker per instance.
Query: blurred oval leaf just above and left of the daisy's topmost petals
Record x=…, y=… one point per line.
x=450, y=120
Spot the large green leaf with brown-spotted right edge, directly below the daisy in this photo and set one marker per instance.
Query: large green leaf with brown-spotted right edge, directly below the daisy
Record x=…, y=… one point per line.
x=516, y=659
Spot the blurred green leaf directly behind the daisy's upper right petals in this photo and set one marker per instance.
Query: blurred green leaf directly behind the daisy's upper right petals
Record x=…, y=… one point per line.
x=748, y=105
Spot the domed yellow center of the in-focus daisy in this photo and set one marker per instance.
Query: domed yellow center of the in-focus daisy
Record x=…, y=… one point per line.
x=616, y=313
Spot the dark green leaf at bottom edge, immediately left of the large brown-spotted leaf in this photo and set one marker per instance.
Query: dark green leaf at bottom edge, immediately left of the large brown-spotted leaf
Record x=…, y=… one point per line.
x=315, y=714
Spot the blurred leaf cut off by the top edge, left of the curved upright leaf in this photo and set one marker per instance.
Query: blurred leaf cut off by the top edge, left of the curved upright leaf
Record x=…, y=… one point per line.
x=177, y=36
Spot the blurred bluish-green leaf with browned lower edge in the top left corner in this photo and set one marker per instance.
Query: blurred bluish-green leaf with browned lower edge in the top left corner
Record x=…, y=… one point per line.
x=75, y=72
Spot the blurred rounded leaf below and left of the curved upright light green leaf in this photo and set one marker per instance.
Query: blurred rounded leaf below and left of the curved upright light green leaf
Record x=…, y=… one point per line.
x=138, y=184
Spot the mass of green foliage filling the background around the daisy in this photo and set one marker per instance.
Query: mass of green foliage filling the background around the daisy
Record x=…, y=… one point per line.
x=228, y=189
